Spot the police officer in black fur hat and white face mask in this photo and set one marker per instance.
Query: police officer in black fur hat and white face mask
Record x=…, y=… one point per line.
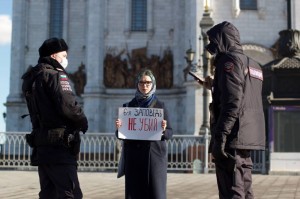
x=56, y=119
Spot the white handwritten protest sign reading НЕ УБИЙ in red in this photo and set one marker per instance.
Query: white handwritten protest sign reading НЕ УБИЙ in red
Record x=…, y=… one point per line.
x=140, y=123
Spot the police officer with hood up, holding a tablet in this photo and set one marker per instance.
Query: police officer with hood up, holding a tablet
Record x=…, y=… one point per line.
x=237, y=118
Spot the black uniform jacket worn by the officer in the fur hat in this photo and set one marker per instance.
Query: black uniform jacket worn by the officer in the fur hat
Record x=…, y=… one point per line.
x=54, y=107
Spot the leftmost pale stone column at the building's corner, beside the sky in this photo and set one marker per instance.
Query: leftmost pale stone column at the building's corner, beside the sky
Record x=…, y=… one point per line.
x=15, y=105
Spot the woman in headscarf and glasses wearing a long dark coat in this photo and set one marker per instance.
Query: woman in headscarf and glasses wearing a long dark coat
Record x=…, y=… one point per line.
x=146, y=161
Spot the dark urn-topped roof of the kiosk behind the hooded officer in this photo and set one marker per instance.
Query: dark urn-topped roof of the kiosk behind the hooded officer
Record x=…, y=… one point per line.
x=282, y=75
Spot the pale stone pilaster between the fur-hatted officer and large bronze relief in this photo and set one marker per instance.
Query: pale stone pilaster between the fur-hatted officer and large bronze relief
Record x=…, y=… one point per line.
x=93, y=105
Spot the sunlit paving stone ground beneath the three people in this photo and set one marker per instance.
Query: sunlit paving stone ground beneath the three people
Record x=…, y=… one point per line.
x=98, y=185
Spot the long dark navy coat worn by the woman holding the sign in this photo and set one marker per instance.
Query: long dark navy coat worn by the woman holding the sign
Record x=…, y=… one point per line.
x=146, y=163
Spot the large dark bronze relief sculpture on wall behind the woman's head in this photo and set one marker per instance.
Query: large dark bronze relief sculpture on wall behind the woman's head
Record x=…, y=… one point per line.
x=121, y=69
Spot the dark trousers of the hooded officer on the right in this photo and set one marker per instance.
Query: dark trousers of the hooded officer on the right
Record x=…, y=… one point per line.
x=234, y=177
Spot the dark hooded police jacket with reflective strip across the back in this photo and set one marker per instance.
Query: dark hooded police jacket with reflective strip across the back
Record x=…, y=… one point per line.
x=237, y=109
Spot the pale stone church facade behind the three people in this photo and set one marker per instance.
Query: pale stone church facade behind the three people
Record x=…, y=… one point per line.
x=95, y=29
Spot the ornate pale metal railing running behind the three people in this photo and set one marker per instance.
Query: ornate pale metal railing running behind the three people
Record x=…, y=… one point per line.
x=101, y=151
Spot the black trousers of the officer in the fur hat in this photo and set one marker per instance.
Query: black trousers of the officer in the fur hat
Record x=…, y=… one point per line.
x=59, y=181
